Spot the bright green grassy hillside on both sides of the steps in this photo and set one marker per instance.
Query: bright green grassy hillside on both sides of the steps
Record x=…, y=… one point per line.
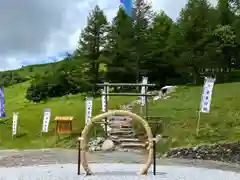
x=178, y=112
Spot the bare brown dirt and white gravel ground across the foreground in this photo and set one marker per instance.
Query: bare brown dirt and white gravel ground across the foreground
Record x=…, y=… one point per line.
x=61, y=164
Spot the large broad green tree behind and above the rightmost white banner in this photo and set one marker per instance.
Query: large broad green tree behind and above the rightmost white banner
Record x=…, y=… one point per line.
x=196, y=20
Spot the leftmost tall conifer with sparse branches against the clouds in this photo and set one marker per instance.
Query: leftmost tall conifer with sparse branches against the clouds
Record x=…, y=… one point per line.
x=91, y=42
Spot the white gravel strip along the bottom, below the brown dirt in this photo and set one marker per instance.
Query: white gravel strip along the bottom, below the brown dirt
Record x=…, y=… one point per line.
x=113, y=172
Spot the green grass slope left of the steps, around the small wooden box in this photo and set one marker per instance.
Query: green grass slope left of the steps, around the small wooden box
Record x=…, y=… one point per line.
x=31, y=116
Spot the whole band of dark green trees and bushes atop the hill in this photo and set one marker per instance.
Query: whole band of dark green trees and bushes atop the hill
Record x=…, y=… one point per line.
x=203, y=41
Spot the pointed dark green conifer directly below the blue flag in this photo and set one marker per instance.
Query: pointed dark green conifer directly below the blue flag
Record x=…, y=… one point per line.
x=120, y=66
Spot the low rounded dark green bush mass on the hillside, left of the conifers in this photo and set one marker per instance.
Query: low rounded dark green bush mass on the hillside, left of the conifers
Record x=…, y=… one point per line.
x=66, y=79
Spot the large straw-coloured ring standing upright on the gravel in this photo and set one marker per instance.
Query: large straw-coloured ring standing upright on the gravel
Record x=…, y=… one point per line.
x=135, y=117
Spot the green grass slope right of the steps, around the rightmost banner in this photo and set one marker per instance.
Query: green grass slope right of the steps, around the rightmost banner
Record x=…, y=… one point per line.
x=181, y=112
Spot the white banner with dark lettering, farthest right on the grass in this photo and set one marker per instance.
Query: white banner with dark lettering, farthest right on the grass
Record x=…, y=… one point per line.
x=207, y=95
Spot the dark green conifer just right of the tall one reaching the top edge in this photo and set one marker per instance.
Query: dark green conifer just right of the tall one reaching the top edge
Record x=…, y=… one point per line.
x=159, y=58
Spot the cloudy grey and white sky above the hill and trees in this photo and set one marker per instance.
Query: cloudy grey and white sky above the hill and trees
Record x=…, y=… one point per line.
x=40, y=31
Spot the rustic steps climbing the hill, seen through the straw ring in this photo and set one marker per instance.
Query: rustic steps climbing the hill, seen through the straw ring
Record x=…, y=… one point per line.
x=122, y=134
